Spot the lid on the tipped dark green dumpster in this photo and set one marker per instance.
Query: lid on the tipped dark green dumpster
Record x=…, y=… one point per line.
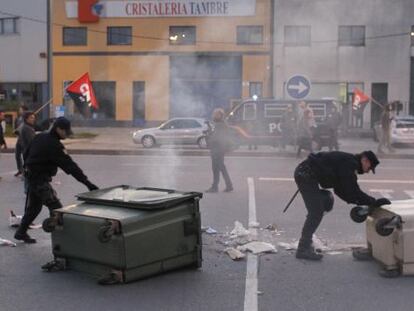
x=137, y=197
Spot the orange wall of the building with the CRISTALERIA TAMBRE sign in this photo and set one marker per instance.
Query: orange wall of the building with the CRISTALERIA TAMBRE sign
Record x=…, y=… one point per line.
x=153, y=69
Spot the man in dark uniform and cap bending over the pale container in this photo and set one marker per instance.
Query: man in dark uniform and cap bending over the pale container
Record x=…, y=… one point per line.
x=324, y=170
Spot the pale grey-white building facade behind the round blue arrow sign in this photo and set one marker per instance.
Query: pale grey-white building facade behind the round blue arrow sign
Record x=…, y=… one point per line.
x=340, y=45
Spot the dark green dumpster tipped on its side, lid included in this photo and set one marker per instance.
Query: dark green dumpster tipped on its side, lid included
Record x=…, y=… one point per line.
x=122, y=233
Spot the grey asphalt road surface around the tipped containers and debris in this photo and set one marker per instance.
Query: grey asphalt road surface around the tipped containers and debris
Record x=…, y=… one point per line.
x=276, y=281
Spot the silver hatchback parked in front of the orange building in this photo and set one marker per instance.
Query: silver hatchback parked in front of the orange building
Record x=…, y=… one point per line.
x=174, y=131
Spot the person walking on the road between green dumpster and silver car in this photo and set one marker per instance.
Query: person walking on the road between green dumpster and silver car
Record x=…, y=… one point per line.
x=218, y=142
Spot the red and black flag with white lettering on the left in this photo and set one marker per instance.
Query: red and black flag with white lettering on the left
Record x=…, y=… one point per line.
x=82, y=94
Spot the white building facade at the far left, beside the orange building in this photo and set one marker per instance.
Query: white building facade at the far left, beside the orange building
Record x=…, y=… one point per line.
x=23, y=52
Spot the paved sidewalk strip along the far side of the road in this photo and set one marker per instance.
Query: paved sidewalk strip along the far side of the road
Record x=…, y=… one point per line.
x=117, y=140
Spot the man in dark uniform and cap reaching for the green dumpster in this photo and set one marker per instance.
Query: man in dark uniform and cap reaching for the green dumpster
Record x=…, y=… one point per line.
x=41, y=160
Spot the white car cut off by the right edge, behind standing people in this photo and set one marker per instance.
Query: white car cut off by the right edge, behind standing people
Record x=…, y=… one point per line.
x=402, y=130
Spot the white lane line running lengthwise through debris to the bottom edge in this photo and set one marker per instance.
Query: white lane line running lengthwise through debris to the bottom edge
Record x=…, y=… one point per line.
x=250, y=293
